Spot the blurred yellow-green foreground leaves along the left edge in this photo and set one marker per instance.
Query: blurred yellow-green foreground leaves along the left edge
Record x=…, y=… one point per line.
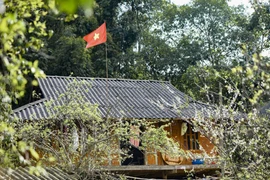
x=21, y=31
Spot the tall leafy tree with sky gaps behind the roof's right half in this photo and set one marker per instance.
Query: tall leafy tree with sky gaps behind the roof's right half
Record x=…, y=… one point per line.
x=203, y=32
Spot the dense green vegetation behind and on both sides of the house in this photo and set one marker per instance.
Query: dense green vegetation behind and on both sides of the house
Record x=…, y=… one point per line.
x=208, y=49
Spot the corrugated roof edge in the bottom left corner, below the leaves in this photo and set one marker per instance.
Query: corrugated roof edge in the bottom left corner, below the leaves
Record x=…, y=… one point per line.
x=23, y=173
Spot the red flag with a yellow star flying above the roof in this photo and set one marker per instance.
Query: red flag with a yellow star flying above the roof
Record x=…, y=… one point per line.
x=96, y=37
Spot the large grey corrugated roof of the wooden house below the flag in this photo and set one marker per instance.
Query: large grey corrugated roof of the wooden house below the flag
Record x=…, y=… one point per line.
x=124, y=98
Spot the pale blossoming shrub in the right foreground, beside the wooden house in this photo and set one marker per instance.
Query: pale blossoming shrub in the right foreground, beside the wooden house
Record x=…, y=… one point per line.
x=242, y=140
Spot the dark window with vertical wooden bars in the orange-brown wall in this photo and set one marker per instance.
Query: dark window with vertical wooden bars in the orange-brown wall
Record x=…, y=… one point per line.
x=191, y=139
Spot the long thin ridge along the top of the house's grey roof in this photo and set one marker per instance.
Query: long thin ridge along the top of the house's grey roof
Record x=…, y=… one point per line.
x=111, y=79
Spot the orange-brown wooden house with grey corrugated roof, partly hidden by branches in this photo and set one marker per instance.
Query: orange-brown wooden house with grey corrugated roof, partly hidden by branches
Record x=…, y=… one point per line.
x=140, y=99
